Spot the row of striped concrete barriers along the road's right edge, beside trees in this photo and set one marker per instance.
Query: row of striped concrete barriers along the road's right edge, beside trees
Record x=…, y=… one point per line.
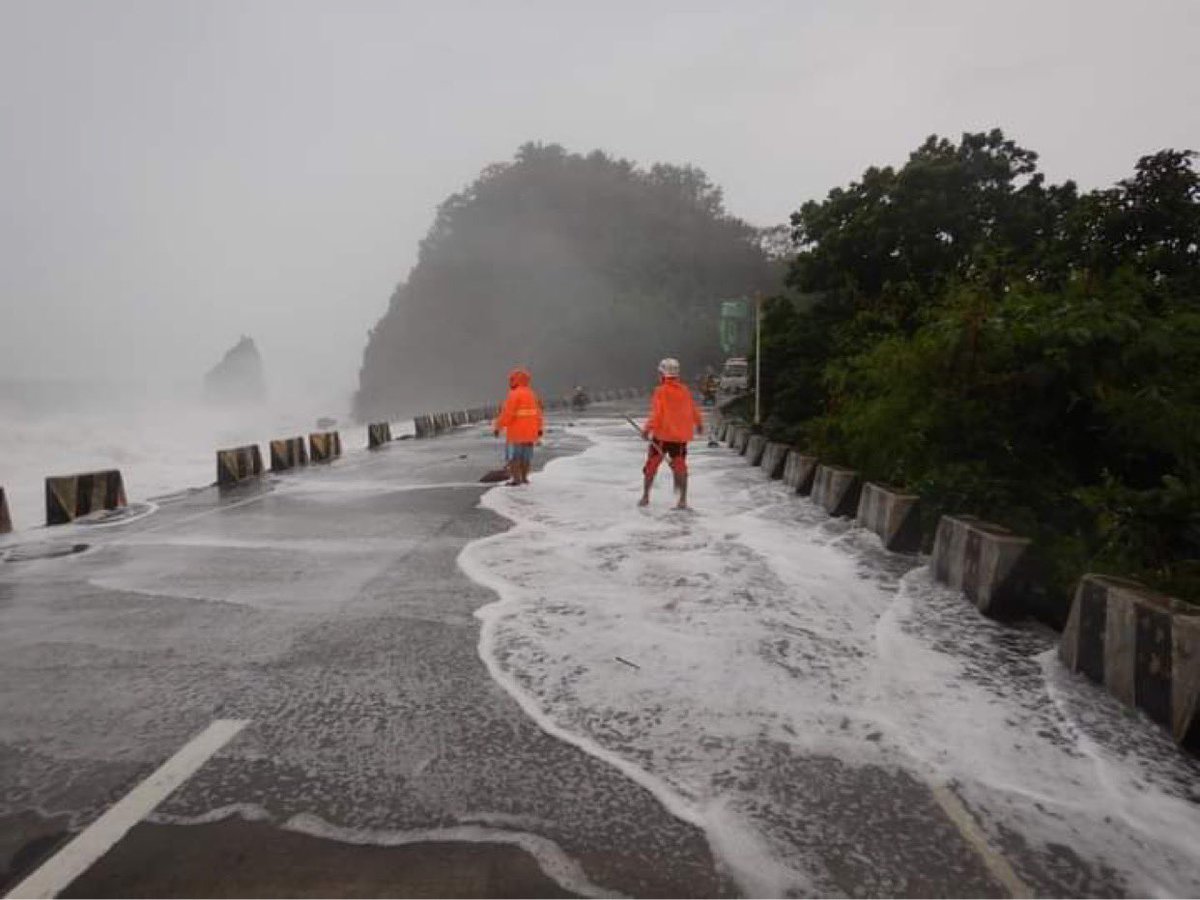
x=1143, y=646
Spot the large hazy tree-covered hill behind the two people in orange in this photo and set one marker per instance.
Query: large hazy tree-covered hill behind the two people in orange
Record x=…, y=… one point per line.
x=587, y=269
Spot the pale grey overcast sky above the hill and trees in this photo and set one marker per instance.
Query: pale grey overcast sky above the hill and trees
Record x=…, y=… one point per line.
x=177, y=175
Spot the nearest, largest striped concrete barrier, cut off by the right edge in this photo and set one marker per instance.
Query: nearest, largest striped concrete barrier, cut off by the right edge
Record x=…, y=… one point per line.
x=1144, y=647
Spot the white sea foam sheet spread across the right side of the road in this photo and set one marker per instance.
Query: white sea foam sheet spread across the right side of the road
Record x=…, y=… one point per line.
x=757, y=619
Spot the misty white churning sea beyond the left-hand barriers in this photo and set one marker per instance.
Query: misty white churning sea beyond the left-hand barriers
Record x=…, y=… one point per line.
x=163, y=436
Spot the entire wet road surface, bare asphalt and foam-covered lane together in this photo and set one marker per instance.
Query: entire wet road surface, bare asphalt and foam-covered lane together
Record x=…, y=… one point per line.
x=329, y=610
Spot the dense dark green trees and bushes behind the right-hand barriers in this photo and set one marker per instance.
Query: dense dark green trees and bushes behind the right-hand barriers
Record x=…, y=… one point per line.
x=1007, y=347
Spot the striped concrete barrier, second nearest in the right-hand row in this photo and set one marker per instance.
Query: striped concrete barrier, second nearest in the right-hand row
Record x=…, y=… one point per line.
x=985, y=561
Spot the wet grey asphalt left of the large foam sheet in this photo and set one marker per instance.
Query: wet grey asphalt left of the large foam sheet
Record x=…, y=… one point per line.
x=326, y=608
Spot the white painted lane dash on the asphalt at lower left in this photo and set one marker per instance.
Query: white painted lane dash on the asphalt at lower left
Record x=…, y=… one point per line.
x=101, y=836
